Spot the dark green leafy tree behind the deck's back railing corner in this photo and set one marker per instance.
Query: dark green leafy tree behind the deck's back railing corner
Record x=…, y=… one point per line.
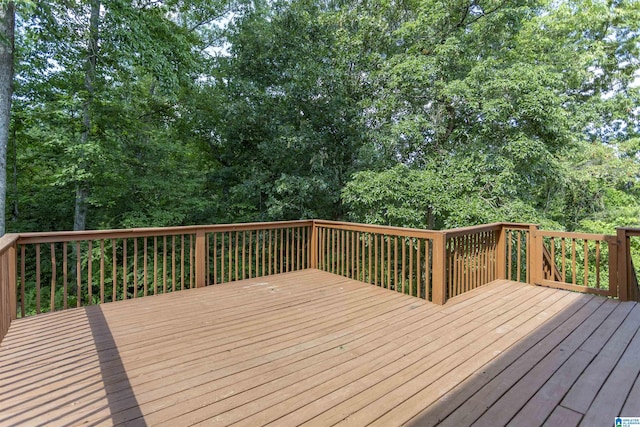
x=288, y=136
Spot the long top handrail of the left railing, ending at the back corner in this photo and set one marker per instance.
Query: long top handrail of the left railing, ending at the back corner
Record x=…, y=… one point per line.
x=68, y=236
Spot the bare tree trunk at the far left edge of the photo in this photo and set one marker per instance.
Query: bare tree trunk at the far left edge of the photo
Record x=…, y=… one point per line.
x=7, y=28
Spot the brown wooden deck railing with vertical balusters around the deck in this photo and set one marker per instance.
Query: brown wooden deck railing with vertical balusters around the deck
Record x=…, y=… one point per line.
x=44, y=272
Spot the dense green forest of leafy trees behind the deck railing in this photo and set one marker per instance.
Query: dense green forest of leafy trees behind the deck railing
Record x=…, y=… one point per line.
x=419, y=113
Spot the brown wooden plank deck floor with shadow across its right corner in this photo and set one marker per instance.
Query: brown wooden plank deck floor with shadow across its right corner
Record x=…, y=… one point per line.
x=317, y=349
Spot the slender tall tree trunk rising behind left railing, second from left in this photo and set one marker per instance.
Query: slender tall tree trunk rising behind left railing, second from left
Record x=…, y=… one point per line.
x=82, y=187
